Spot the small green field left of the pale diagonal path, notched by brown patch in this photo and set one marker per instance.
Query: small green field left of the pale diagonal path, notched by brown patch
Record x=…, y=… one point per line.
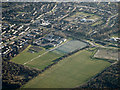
x=25, y=56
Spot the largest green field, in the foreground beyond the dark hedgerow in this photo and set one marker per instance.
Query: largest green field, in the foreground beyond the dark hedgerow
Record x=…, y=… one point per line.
x=70, y=72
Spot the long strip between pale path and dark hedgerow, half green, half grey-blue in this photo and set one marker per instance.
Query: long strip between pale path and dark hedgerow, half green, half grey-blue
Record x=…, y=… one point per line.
x=47, y=59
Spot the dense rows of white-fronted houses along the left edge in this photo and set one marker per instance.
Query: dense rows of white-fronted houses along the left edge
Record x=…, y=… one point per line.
x=13, y=39
